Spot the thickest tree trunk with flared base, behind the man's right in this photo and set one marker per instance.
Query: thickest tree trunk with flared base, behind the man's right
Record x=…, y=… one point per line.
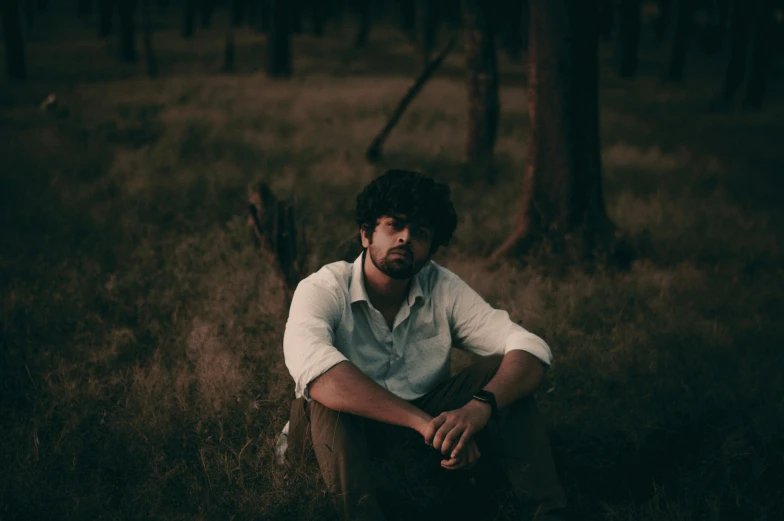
x=562, y=187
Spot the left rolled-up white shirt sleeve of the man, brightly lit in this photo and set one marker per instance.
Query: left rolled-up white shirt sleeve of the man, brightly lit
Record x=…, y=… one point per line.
x=308, y=341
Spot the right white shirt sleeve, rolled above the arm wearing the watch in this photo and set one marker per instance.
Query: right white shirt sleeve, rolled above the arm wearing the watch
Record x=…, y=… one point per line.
x=481, y=329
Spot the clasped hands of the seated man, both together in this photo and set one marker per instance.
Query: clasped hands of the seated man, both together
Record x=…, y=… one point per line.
x=452, y=432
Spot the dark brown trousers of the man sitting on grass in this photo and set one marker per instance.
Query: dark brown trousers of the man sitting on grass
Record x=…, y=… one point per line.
x=343, y=444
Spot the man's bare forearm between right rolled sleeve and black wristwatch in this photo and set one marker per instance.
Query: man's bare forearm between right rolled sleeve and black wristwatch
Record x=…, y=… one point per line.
x=519, y=374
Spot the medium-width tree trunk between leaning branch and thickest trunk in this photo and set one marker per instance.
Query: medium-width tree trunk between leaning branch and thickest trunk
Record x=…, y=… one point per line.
x=481, y=80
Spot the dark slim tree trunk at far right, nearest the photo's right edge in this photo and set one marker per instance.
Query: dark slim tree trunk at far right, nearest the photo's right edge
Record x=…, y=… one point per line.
x=761, y=54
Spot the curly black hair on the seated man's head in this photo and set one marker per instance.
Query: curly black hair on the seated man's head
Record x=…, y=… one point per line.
x=419, y=198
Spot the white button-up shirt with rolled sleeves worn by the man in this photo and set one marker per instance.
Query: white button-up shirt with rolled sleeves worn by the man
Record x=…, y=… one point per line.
x=331, y=320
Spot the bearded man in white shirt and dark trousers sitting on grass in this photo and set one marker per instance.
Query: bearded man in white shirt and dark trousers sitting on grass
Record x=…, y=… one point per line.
x=368, y=345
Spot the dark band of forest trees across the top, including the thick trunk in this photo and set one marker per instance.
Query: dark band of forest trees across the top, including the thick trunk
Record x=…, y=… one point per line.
x=561, y=185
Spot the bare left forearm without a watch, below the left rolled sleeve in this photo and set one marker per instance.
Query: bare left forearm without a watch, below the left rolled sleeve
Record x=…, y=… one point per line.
x=345, y=388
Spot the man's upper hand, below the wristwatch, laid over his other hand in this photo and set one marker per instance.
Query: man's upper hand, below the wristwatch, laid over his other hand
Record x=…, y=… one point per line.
x=451, y=431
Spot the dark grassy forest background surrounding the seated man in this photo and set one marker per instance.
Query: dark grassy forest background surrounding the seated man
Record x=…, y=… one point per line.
x=171, y=168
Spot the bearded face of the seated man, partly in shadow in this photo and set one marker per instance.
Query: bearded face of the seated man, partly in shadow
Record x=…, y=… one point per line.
x=398, y=248
